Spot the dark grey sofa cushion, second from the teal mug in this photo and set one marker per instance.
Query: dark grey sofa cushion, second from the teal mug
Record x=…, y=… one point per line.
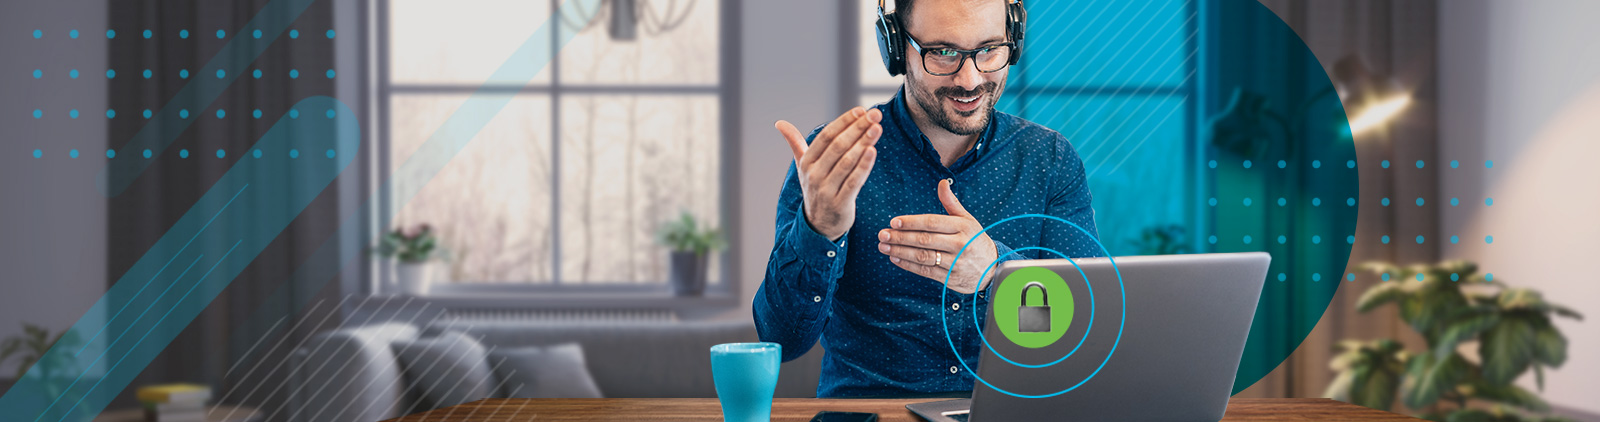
x=447, y=370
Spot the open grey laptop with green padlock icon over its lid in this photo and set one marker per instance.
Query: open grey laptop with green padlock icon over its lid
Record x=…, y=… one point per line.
x=1188, y=317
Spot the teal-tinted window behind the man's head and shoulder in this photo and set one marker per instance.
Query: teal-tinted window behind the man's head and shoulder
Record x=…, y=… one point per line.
x=1118, y=79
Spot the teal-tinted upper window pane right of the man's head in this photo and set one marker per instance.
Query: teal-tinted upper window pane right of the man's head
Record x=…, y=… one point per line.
x=1137, y=44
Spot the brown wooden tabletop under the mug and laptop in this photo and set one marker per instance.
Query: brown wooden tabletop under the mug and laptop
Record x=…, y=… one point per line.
x=801, y=410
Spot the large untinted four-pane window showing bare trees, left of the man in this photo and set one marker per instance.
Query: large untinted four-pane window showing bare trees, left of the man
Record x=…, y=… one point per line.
x=570, y=181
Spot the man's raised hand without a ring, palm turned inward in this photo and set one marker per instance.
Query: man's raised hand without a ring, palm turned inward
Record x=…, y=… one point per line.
x=834, y=167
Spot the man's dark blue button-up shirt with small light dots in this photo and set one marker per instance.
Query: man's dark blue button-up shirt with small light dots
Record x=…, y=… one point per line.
x=881, y=324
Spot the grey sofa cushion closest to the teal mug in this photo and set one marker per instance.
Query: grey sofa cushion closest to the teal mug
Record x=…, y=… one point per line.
x=554, y=372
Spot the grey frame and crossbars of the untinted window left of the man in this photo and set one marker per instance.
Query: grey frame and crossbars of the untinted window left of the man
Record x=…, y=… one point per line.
x=559, y=295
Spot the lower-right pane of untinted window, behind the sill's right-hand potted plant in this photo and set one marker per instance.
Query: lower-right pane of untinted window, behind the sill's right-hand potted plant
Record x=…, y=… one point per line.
x=631, y=164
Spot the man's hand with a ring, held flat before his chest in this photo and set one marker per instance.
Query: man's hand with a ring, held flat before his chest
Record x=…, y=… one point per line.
x=927, y=245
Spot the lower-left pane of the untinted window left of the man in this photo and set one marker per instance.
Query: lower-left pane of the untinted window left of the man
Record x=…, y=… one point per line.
x=492, y=202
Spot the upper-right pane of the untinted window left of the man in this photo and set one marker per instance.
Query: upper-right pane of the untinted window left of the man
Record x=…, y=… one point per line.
x=682, y=55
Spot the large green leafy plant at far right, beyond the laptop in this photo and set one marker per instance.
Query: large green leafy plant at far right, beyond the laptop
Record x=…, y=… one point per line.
x=1454, y=308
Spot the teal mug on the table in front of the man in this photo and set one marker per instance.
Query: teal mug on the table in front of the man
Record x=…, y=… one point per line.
x=746, y=378
